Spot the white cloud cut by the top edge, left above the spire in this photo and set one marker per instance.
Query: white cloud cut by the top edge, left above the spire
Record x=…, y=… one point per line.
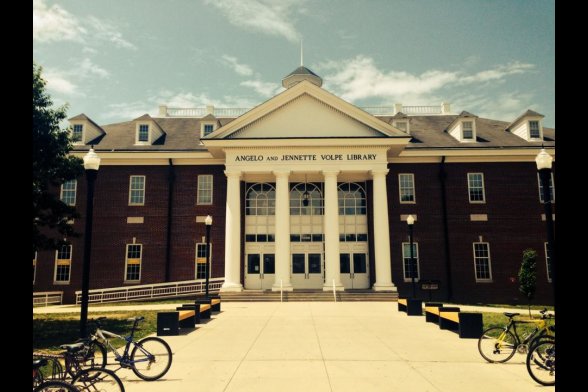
x=272, y=17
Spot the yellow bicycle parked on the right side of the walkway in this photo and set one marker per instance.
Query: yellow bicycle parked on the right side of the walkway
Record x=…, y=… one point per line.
x=499, y=344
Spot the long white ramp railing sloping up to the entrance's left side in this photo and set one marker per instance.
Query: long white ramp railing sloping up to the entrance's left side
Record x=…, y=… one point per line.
x=159, y=290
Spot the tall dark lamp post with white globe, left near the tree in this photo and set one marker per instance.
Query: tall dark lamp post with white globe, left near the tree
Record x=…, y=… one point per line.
x=91, y=165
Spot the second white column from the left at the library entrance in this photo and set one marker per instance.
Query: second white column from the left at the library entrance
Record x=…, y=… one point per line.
x=282, y=232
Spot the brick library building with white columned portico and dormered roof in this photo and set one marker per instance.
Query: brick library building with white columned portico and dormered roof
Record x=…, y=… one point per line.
x=309, y=192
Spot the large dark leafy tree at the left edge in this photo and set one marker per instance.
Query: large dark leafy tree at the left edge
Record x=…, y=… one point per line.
x=51, y=167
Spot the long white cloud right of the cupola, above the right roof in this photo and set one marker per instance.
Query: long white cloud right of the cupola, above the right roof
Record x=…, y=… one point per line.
x=359, y=78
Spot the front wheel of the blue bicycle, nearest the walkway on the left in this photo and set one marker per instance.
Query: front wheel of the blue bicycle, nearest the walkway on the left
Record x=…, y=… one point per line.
x=151, y=358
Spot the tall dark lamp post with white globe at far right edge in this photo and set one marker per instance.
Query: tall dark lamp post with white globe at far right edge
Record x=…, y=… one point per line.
x=544, y=163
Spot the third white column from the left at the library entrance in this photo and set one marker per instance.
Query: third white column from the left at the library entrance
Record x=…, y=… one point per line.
x=331, y=229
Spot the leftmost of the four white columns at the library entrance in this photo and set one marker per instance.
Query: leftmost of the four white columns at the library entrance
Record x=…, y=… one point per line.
x=233, y=234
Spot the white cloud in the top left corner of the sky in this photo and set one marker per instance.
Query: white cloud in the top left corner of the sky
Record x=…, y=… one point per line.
x=57, y=24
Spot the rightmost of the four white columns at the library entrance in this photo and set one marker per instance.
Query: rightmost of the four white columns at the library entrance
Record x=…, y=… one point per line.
x=381, y=233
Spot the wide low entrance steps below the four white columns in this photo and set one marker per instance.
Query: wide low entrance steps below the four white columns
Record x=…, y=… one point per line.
x=308, y=295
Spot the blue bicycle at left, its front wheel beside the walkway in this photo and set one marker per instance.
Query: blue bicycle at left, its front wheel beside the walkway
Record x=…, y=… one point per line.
x=150, y=358
